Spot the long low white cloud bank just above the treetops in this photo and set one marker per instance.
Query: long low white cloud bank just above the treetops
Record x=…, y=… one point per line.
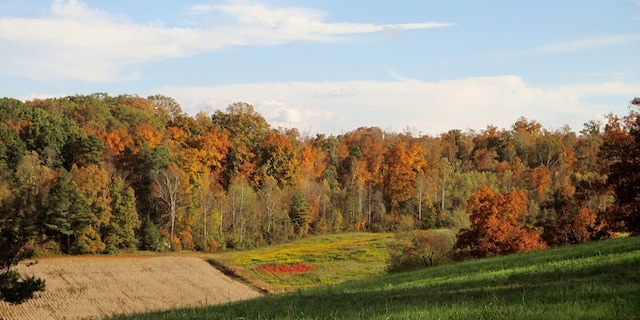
x=430, y=107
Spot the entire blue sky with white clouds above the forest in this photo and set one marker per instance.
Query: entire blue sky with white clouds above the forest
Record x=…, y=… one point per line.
x=332, y=66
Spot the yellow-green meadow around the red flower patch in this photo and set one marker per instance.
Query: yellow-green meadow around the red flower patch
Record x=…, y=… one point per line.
x=334, y=258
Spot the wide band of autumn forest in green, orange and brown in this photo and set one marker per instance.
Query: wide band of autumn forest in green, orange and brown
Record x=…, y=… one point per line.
x=92, y=174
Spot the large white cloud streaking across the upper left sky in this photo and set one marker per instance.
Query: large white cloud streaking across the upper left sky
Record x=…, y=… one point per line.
x=79, y=42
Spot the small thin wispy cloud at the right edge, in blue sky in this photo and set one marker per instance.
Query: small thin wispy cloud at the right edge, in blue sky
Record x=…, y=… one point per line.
x=588, y=44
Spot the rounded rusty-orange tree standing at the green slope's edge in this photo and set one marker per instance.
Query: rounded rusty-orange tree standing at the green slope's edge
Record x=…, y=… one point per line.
x=497, y=226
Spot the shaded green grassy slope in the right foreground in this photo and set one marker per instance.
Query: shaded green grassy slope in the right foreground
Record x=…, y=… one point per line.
x=598, y=280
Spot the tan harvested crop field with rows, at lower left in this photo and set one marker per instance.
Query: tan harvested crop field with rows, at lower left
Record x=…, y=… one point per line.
x=85, y=287
